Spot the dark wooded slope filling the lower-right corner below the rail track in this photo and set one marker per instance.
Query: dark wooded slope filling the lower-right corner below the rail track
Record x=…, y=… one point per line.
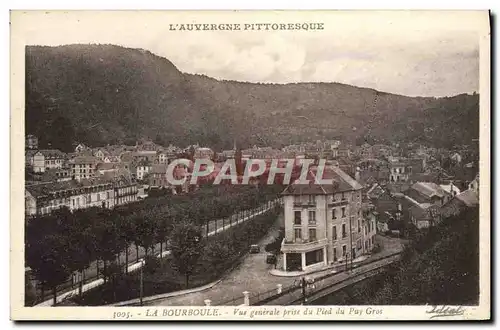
x=440, y=267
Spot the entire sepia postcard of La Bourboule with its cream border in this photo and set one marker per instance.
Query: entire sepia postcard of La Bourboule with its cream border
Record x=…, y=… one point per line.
x=250, y=165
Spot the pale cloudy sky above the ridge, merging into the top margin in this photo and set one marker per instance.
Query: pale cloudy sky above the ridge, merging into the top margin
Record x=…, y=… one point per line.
x=414, y=53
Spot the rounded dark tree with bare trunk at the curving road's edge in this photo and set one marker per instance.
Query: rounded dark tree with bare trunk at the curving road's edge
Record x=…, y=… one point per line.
x=187, y=247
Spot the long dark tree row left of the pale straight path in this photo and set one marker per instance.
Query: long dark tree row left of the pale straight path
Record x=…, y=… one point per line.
x=65, y=242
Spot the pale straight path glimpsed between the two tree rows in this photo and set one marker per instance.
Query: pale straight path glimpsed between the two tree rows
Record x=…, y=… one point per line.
x=139, y=264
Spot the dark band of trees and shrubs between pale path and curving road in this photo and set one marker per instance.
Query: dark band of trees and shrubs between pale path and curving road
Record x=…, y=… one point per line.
x=195, y=260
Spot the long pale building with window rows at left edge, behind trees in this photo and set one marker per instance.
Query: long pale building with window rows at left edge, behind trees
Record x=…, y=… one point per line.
x=43, y=198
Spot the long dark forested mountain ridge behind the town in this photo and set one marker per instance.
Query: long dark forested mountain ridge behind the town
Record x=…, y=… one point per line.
x=100, y=94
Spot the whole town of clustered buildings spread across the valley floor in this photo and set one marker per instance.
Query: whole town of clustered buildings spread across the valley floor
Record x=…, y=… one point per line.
x=376, y=190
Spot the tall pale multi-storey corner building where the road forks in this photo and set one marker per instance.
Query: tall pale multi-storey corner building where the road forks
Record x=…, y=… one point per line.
x=323, y=222
